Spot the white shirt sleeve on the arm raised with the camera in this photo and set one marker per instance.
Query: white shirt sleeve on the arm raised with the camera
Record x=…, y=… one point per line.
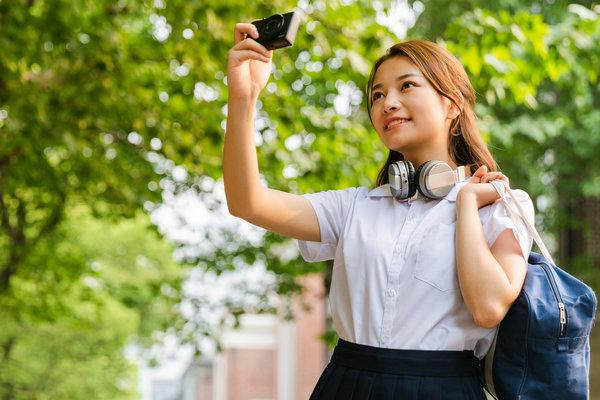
x=331, y=208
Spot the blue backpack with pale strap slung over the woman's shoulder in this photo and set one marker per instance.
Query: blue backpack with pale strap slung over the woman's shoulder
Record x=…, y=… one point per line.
x=542, y=348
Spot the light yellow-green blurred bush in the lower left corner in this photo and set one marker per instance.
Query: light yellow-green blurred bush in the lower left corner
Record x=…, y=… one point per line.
x=97, y=286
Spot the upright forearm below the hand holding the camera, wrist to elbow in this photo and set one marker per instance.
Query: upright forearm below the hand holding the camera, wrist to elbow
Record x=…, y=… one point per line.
x=240, y=165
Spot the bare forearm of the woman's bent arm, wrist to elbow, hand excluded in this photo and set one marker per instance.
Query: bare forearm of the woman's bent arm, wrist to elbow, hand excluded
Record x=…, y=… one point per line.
x=485, y=285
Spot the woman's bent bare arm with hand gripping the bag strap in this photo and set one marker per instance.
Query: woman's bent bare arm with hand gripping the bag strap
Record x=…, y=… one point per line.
x=490, y=278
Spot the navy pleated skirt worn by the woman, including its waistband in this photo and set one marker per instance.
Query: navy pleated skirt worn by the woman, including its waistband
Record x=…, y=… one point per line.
x=359, y=372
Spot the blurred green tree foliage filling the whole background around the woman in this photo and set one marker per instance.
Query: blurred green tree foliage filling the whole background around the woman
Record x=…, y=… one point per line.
x=101, y=101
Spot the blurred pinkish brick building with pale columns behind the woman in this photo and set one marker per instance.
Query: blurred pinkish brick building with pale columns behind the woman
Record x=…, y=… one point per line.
x=266, y=358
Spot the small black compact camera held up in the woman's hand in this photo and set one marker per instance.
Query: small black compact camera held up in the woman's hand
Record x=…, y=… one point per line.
x=278, y=30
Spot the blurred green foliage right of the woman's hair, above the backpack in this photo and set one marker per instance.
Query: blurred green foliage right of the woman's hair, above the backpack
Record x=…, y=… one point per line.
x=539, y=105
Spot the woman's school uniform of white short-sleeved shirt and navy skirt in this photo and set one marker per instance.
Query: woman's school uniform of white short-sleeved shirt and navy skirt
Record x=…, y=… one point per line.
x=405, y=331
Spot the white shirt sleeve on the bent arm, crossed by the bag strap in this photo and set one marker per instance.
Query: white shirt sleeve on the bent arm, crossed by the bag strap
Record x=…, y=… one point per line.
x=495, y=220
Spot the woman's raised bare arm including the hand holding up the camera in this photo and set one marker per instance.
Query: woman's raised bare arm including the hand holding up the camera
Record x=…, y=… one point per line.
x=248, y=70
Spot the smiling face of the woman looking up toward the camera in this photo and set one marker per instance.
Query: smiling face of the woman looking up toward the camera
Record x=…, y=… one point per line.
x=409, y=115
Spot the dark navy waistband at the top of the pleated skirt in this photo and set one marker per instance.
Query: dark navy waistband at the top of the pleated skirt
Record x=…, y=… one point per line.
x=405, y=362
